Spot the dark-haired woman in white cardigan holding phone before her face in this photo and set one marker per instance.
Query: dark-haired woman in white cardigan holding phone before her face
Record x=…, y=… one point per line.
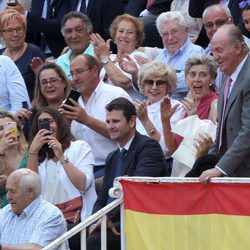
x=64, y=164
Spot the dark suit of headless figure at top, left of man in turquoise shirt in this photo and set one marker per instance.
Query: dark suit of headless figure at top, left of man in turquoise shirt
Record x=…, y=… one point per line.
x=50, y=27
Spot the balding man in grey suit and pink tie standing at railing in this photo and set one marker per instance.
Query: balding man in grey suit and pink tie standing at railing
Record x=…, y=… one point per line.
x=232, y=143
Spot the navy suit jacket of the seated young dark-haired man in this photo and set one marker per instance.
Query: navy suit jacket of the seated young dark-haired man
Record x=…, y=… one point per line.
x=144, y=158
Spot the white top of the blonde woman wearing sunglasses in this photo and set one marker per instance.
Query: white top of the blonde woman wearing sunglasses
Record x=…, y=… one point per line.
x=154, y=115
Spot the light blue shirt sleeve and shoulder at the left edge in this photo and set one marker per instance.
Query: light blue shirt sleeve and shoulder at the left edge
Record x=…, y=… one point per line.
x=13, y=90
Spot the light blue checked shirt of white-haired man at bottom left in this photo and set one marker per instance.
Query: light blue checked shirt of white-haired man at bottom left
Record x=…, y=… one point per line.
x=40, y=223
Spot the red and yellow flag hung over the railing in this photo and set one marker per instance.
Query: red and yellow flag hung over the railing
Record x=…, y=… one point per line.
x=186, y=216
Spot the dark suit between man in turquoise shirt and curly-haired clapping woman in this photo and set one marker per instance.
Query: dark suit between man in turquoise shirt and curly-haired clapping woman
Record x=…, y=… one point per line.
x=102, y=13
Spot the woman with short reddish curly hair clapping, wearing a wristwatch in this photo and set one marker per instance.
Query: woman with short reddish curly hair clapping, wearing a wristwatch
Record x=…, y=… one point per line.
x=127, y=33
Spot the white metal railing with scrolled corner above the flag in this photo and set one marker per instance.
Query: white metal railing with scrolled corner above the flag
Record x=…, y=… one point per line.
x=116, y=192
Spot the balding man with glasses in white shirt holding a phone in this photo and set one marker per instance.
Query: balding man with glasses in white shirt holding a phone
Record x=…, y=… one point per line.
x=88, y=115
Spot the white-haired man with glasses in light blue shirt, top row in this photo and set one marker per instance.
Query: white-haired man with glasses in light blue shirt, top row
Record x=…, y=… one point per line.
x=178, y=47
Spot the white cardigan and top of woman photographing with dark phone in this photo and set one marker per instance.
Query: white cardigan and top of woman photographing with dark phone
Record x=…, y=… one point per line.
x=80, y=155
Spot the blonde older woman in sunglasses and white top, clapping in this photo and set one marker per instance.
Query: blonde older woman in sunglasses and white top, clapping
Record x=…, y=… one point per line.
x=157, y=81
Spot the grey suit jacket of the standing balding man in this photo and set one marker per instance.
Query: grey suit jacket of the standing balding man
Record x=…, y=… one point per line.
x=235, y=149
